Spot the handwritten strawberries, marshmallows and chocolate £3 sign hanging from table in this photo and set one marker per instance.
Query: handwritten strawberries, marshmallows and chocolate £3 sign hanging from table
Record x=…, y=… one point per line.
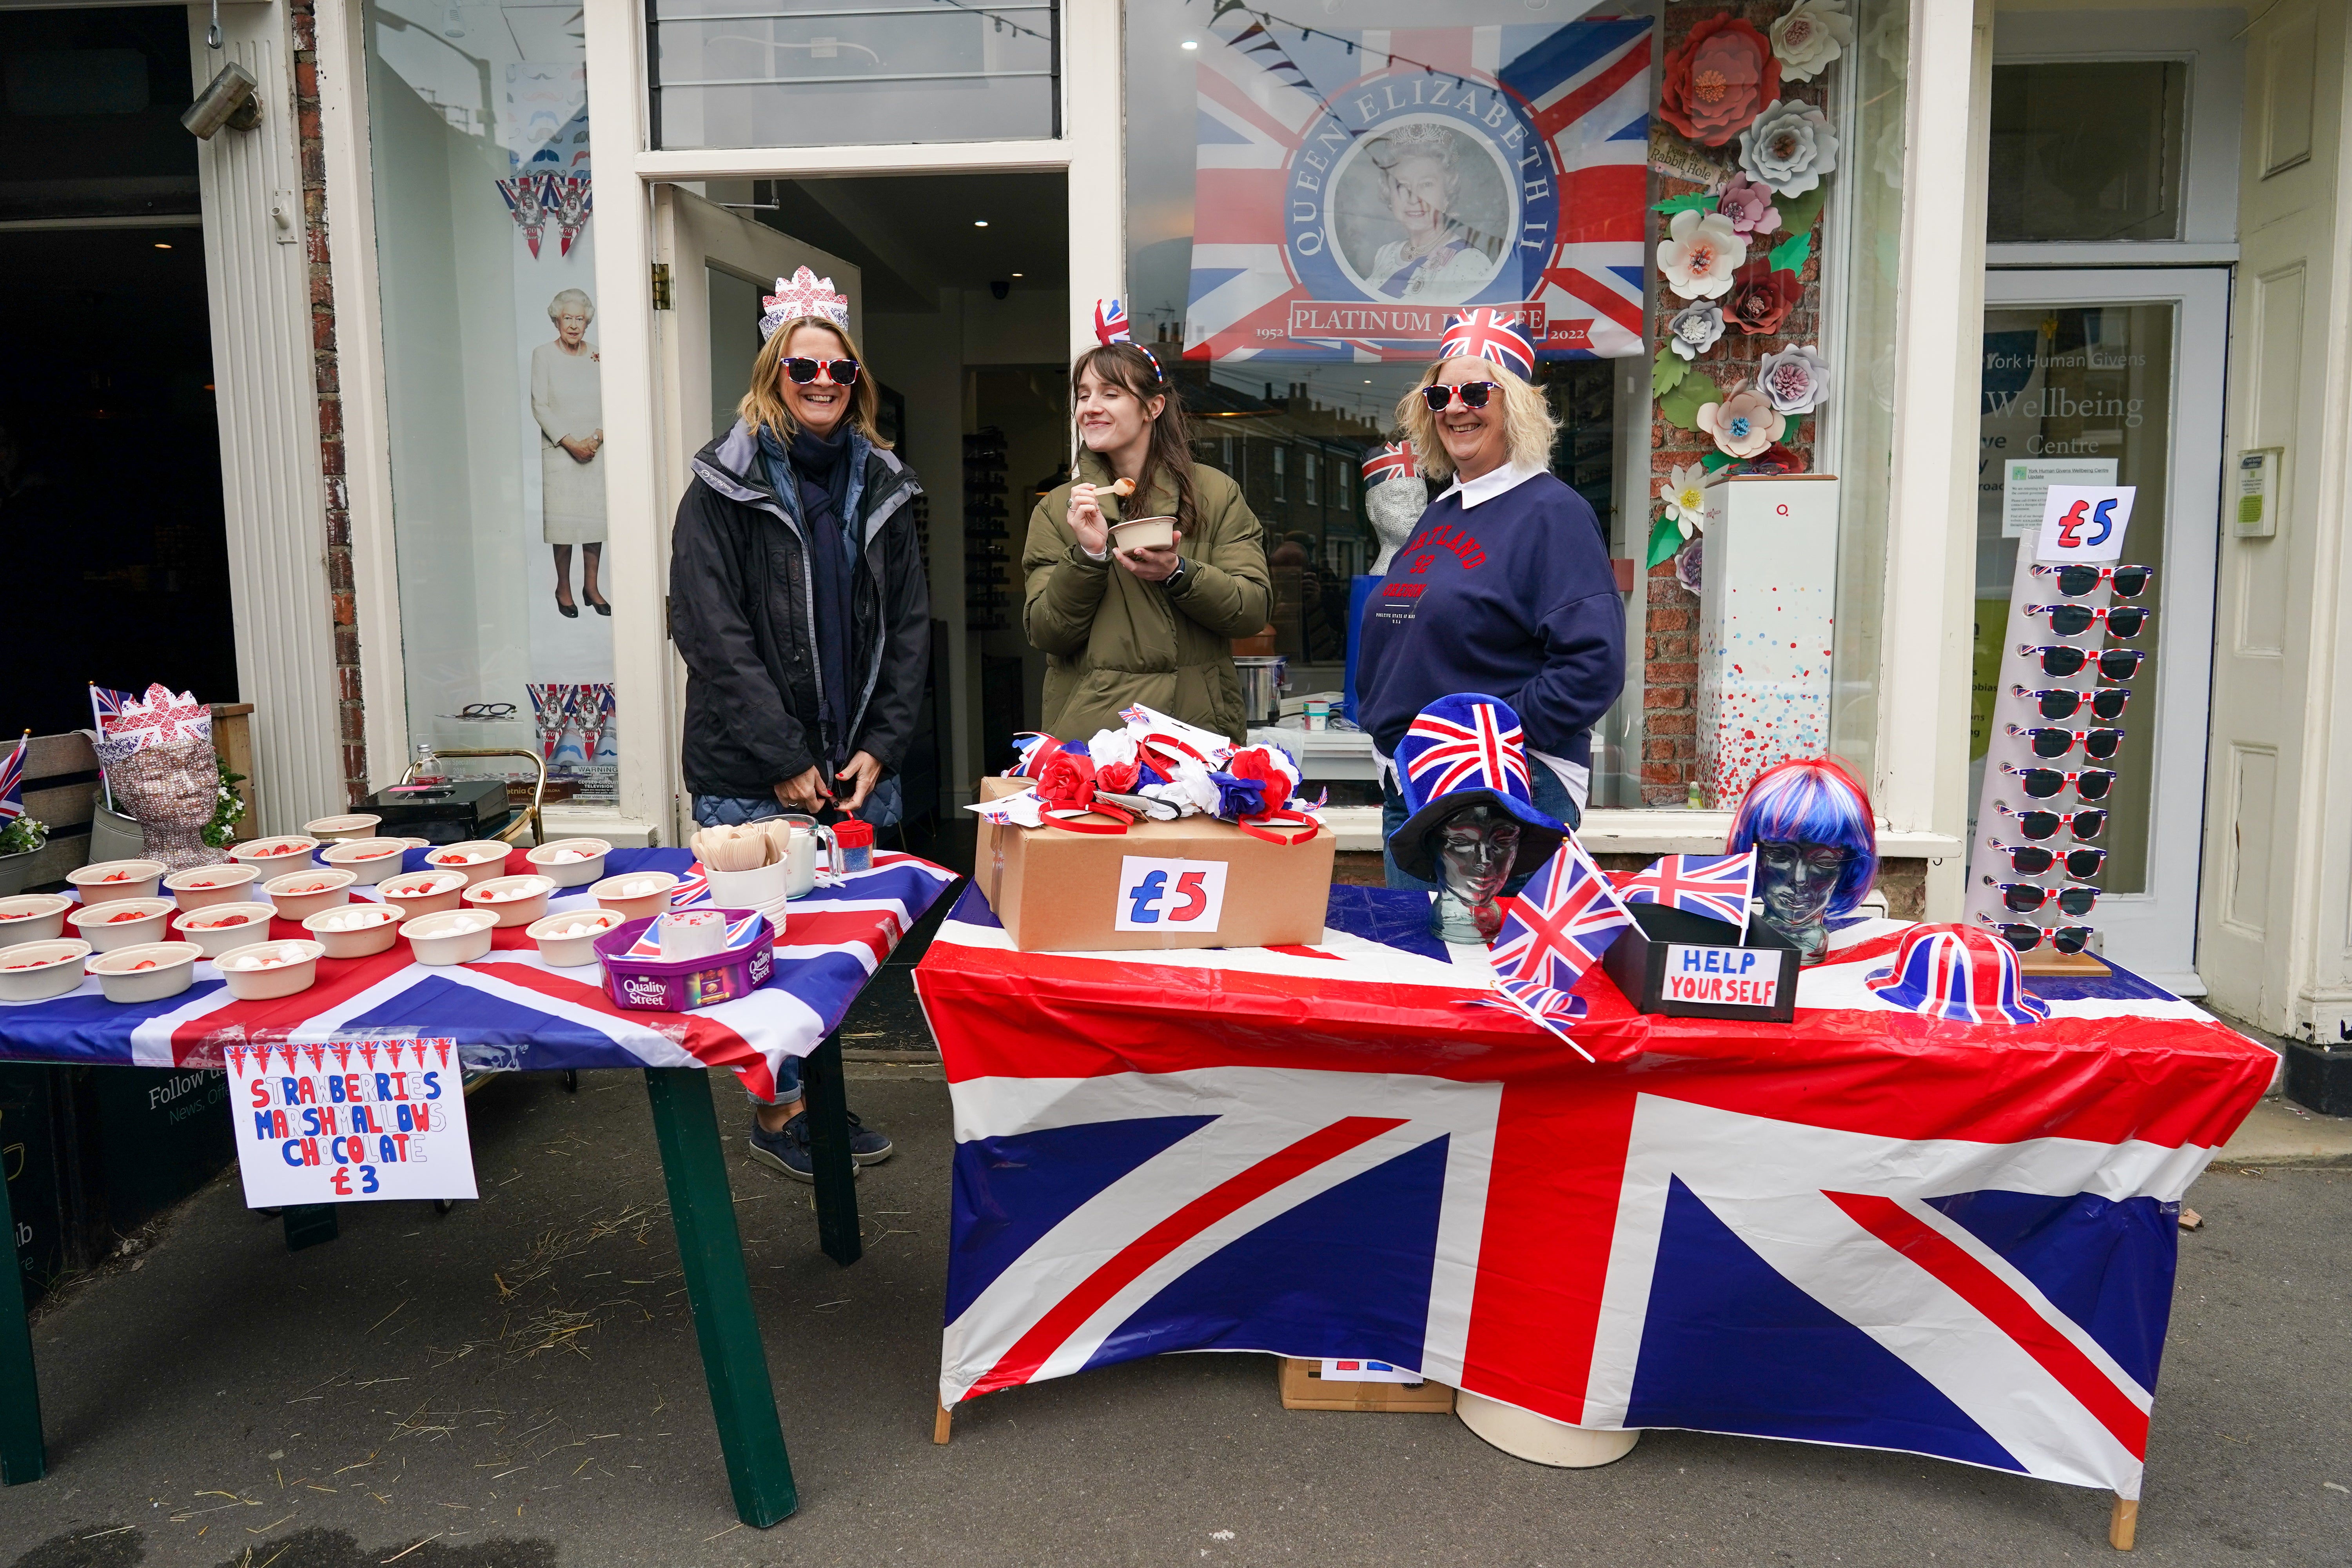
x=349, y=1123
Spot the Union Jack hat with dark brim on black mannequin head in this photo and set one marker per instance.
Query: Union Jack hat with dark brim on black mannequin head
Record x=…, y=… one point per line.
x=1466, y=751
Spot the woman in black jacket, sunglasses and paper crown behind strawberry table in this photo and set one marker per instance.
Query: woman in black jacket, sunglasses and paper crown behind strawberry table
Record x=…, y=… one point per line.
x=801, y=610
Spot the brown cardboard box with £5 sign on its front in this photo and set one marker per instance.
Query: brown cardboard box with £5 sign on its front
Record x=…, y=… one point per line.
x=1194, y=883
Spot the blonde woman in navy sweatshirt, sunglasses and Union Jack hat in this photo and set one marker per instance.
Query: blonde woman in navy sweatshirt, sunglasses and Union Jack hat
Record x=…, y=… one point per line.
x=1504, y=584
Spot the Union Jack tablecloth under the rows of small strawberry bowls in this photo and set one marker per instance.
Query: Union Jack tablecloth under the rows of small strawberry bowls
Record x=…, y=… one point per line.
x=512, y=1010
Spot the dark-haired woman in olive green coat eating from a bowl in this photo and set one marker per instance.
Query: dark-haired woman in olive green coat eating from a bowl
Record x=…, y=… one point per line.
x=1140, y=626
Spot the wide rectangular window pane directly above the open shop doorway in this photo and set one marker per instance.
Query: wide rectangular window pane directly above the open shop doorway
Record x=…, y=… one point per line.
x=780, y=74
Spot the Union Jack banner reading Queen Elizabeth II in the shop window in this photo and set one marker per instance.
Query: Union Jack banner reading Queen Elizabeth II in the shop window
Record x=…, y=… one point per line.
x=1314, y=239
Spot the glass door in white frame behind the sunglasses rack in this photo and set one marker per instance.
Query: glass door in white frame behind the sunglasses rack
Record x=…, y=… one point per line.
x=2118, y=377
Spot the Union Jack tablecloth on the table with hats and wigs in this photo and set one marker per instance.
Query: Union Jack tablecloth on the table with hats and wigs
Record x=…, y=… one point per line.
x=1864, y=1228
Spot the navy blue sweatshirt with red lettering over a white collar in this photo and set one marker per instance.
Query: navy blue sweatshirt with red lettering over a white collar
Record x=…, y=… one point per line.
x=1514, y=598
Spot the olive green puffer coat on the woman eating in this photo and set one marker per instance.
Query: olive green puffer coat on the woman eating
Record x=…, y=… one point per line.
x=1116, y=641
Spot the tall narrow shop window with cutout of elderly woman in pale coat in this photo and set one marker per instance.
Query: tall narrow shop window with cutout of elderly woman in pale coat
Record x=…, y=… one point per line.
x=479, y=135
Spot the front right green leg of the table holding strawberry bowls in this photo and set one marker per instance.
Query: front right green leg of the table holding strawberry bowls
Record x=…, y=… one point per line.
x=711, y=1254
